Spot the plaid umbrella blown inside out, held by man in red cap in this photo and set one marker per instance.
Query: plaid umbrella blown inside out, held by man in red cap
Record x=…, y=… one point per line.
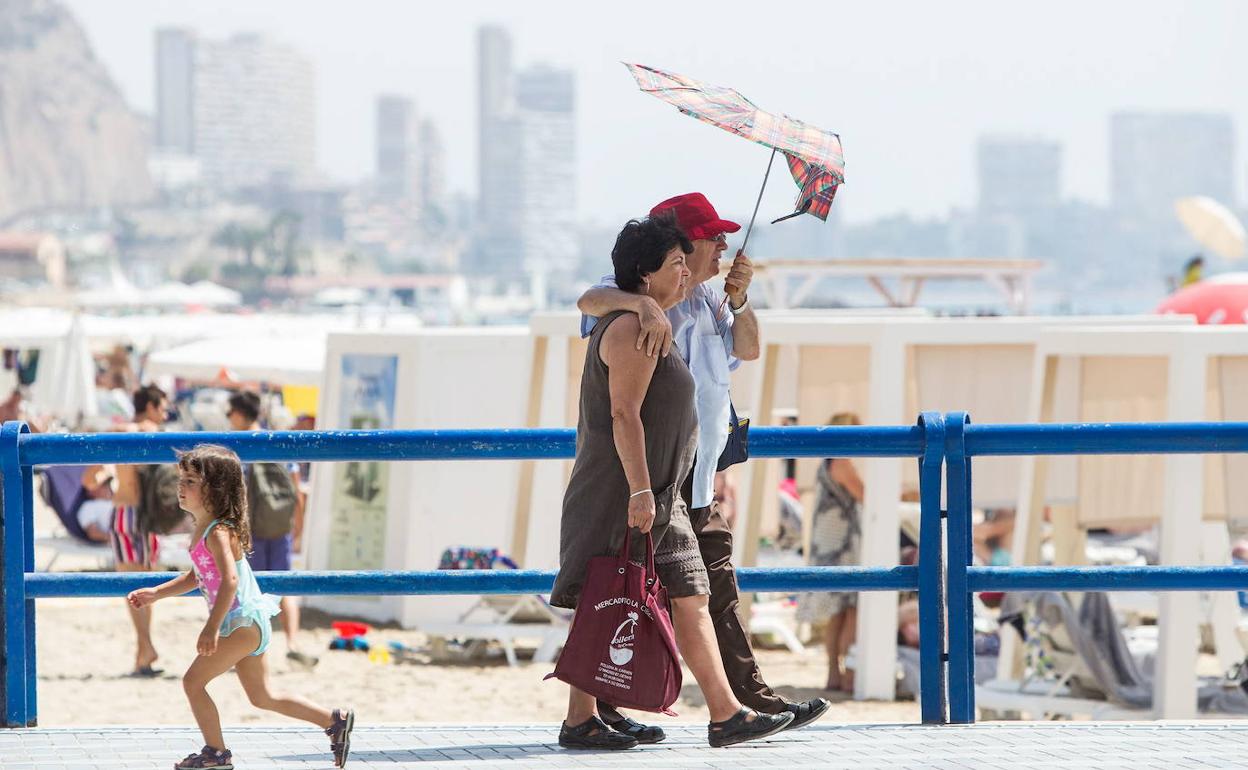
x=814, y=155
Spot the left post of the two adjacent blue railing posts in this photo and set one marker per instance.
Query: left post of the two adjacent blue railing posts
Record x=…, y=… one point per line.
x=932, y=590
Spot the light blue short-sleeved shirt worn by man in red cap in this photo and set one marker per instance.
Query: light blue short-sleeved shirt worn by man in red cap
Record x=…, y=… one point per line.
x=703, y=336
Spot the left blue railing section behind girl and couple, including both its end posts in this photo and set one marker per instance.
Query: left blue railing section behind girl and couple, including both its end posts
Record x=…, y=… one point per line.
x=21, y=586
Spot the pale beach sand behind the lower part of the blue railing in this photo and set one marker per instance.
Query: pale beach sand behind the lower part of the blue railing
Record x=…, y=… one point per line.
x=87, y=648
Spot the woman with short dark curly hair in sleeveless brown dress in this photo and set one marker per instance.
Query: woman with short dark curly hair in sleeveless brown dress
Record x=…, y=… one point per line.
x=636, y=442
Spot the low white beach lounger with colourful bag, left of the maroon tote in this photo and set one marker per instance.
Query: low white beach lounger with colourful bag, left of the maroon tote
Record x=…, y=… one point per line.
x=500, y=620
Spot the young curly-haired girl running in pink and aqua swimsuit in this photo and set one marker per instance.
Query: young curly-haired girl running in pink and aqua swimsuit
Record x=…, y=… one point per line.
x=212, y=489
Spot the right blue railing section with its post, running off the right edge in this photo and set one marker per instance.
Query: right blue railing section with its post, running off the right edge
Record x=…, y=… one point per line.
x=965, y=441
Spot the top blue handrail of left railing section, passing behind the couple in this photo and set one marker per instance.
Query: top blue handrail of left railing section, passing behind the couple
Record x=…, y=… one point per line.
x=509, y=444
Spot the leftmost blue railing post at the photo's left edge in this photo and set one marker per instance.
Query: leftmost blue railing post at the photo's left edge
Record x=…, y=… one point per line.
x=13, y=580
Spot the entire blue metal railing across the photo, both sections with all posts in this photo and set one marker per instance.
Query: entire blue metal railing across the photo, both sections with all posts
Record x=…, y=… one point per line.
x=944, y=578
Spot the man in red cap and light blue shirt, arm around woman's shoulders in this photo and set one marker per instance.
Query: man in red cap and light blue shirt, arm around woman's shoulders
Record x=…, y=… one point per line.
x=713, y=338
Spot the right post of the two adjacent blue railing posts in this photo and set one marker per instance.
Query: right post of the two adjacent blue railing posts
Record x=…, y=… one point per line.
x=958, y=597
